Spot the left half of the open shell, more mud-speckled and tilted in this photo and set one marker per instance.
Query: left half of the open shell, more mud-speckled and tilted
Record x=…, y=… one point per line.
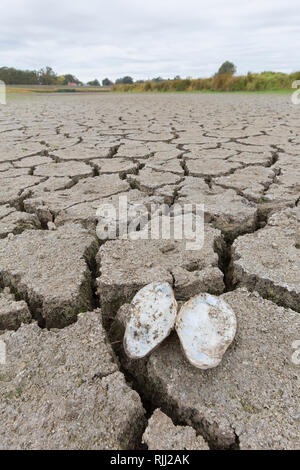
x=153, y=315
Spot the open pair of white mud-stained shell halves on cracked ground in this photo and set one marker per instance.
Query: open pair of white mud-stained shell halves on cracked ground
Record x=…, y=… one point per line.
x=206, y=325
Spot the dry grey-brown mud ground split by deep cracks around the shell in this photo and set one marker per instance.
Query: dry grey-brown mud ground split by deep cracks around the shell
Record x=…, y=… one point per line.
x=64, y=296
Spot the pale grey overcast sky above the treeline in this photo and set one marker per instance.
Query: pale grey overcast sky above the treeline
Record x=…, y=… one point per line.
x=145, y=39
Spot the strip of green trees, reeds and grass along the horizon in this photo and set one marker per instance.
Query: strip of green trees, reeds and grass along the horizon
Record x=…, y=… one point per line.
x=46, y=80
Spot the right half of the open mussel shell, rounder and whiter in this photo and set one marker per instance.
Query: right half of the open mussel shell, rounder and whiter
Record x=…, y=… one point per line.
x=206, y=326
